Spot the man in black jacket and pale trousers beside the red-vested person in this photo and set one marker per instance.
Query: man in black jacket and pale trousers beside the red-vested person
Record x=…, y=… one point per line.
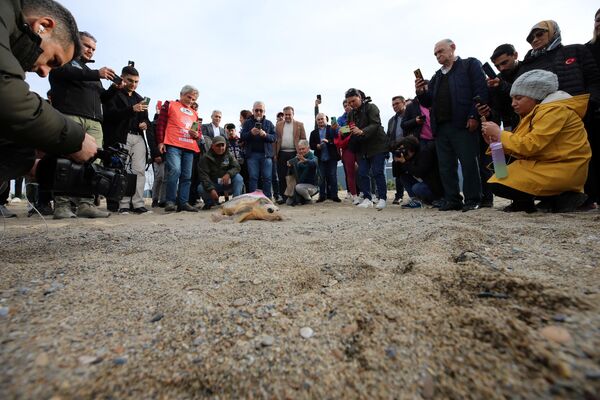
x=125, y=121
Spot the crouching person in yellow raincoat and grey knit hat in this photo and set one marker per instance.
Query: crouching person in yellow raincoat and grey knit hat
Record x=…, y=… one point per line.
x=549, y=145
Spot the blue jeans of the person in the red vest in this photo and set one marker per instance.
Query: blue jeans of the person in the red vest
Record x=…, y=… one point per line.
x=179, y=169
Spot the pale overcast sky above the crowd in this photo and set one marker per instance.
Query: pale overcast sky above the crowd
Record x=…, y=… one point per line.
x=286, y=52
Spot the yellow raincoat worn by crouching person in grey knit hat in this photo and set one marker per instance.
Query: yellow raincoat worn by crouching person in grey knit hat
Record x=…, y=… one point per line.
x=551, y=147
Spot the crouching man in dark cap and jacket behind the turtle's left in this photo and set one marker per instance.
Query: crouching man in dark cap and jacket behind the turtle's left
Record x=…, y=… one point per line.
x=218, y=172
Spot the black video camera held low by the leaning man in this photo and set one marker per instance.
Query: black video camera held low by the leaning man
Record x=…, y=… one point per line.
x=61, y=175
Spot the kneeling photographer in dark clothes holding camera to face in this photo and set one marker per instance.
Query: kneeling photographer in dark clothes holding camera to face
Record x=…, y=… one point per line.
x=418, y=171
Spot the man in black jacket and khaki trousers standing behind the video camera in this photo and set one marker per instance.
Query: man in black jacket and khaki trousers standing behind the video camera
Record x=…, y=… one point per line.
x=77, y=92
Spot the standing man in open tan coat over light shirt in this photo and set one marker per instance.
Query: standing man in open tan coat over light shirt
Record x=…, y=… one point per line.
x=289, y=133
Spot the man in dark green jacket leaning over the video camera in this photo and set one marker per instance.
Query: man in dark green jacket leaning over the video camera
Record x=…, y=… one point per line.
x=35, y=36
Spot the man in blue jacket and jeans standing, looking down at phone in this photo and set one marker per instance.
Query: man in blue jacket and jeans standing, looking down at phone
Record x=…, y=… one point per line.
x=258, y=133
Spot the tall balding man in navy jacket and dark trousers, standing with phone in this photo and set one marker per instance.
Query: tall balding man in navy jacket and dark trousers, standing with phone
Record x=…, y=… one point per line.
x=454, y=120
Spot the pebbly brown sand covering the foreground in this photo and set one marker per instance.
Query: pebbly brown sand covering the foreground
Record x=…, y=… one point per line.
x=401, y=304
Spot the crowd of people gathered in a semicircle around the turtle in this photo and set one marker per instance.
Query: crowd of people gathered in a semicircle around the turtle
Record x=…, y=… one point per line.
x=542, y=111
